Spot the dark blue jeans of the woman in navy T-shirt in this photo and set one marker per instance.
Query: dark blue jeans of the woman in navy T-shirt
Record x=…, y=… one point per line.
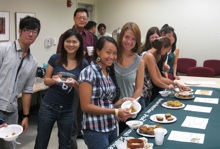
x=48, y=115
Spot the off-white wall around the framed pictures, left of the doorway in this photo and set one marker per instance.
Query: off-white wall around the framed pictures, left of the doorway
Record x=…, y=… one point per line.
x=55, y=18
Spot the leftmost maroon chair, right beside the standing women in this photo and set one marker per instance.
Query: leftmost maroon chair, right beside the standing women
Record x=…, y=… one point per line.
x=184, y=63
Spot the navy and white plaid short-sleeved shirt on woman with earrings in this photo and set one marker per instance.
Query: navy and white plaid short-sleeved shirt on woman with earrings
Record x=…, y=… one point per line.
x=103, y=90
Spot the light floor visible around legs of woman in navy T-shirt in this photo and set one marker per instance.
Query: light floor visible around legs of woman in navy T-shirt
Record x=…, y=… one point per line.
x=27, y=140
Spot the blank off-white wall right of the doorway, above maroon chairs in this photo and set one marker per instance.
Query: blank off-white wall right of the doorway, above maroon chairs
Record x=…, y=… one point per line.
x=196, y=22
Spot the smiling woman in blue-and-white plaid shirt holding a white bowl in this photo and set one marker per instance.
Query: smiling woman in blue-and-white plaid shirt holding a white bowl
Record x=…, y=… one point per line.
x=99, y=94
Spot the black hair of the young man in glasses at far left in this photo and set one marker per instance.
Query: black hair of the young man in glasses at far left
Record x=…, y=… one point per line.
x=29, y=22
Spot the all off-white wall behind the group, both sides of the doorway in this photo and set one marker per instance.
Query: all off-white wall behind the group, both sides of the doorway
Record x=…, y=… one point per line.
x=197, y=22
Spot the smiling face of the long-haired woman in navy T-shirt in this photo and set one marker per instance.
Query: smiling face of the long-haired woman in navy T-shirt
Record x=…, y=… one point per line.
x=71, y=44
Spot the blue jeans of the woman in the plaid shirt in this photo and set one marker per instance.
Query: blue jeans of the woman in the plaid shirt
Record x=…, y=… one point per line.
x=98, y=140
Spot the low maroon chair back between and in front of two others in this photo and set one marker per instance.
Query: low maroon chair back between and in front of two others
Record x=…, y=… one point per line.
x=200, y=72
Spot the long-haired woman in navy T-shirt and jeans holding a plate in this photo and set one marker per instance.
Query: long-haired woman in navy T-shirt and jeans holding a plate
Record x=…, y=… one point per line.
x=57, y=104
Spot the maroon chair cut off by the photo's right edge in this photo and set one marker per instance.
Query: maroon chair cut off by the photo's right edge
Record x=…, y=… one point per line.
x=214, y=64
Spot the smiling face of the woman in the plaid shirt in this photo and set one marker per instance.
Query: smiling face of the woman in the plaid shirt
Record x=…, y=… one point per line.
x=108, y=54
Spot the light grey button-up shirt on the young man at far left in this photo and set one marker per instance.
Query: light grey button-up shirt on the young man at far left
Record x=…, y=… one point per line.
x=14, y=82
